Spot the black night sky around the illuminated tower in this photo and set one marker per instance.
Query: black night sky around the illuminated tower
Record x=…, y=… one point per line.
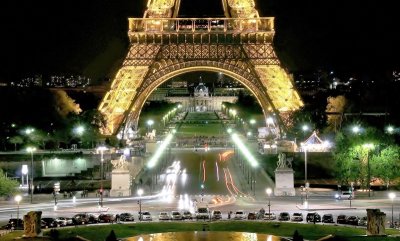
x=83, y=36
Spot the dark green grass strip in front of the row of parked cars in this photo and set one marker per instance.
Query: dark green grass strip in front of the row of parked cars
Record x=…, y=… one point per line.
x=309, y=231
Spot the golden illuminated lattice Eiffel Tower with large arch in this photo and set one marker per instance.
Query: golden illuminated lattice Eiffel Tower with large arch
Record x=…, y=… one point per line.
x=163, y=46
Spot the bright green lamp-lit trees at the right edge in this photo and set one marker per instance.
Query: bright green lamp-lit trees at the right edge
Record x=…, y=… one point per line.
x=366, y=156
